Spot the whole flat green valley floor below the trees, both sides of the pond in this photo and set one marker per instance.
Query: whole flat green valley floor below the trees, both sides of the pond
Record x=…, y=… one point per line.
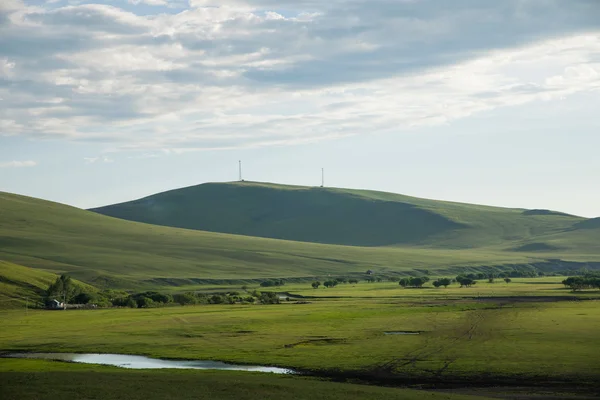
x=531, y=333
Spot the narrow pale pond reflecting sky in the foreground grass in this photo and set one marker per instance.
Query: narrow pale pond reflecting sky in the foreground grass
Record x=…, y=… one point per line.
x=141, y=362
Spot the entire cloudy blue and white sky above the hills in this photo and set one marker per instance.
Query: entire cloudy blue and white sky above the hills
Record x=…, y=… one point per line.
x=487, y=102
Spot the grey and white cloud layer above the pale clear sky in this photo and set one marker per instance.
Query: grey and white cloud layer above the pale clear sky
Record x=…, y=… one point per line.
x=157, y=75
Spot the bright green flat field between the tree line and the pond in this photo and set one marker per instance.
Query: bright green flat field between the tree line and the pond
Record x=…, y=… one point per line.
x=486, y=335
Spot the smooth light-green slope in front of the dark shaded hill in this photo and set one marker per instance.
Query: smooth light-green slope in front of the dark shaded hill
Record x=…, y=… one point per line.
x=108, y=252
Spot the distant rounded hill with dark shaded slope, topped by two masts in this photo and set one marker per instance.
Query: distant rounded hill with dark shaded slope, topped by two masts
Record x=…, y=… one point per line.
x=338, y=216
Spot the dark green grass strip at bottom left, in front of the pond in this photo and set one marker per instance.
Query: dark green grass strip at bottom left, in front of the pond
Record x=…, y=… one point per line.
x=35, y=380
